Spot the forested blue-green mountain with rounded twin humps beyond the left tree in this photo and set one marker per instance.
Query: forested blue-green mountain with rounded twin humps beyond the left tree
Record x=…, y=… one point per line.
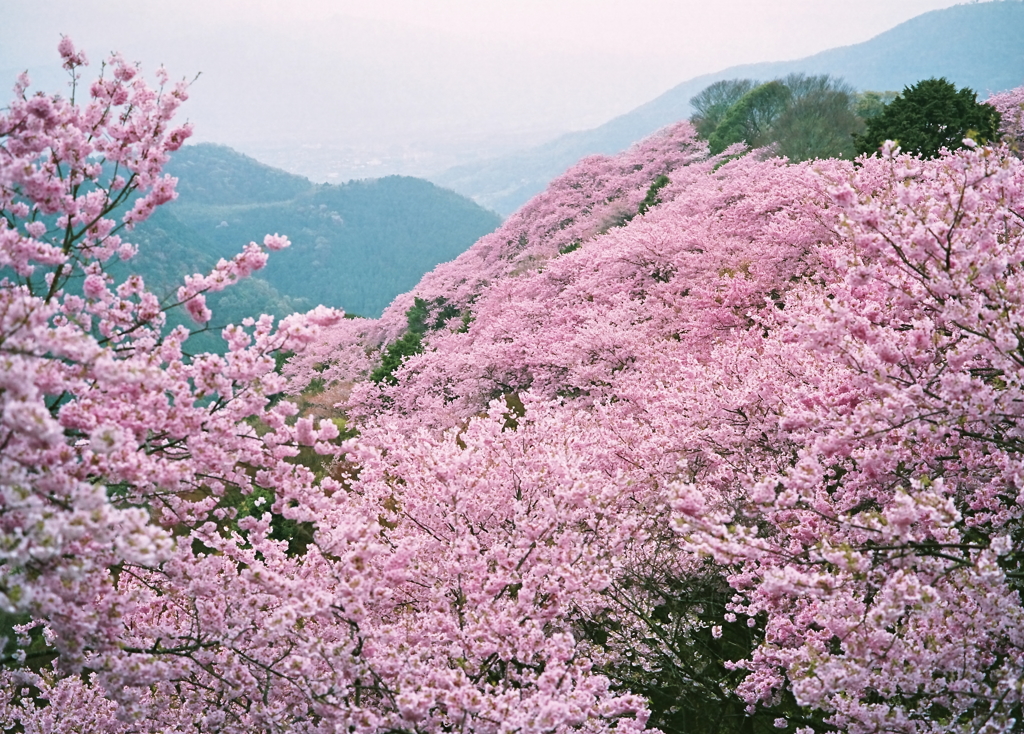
x=355, y=246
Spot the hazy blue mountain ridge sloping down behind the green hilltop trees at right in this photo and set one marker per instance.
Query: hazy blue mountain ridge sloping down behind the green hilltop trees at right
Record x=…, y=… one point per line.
x=978, y=46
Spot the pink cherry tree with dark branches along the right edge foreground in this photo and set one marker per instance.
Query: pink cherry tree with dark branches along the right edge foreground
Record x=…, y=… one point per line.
x=885, y=558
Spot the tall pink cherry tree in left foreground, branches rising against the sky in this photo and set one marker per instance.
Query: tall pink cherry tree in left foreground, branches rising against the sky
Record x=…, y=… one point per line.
x=121, y=457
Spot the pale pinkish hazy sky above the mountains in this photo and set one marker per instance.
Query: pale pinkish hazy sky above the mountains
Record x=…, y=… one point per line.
x=395, y=80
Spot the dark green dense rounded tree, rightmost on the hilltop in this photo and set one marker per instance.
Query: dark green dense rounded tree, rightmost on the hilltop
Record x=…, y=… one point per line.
x=929, y=116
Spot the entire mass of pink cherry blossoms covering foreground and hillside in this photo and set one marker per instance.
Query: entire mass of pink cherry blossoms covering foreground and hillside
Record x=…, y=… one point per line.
x=694, y=444
